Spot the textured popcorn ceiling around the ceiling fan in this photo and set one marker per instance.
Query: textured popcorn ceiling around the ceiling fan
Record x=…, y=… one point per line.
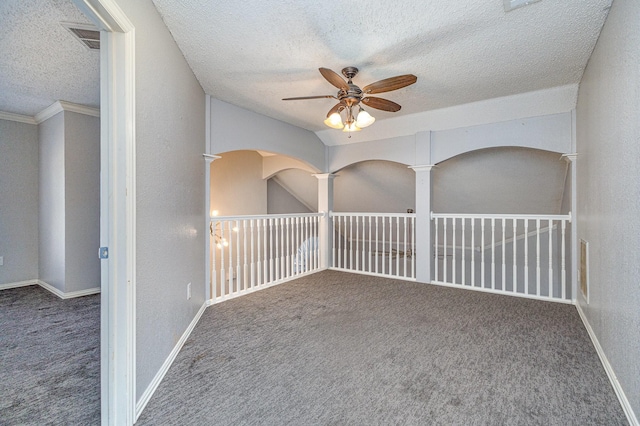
x=252, y=53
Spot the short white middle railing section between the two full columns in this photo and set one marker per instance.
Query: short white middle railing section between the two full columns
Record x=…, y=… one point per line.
x=380, y=244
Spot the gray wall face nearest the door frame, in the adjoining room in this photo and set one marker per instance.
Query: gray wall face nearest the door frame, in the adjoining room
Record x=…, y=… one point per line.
x=82, y=201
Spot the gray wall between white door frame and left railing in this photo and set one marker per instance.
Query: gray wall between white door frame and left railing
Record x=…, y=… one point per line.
x=170, y=174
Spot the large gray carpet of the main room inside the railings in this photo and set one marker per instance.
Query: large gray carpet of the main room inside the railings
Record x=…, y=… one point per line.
x=341, y=349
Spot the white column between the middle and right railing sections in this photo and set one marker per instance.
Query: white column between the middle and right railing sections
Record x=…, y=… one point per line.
x=424, y=246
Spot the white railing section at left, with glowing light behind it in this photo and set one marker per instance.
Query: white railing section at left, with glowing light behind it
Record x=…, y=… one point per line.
x=249, y=253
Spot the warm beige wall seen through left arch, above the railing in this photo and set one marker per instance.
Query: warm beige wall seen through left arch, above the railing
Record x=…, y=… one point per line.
x=237, y=187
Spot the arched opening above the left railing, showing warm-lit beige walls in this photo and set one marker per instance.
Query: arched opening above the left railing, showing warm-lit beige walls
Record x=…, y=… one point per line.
x=248, y=182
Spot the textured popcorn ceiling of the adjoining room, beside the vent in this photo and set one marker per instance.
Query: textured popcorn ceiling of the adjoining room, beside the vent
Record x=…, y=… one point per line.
x=40, y=61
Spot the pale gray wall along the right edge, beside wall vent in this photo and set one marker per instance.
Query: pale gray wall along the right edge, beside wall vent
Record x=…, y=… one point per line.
x=608, y=168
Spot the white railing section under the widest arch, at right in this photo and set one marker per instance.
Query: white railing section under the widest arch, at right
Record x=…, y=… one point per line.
x=524, y=255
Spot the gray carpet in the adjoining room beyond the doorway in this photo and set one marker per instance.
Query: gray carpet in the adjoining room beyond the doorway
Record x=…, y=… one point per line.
x=49, y=358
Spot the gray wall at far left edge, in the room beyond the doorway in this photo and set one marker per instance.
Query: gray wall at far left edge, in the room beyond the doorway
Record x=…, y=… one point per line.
x=19, y=205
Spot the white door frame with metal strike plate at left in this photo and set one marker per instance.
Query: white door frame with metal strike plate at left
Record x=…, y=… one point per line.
x=117, y=209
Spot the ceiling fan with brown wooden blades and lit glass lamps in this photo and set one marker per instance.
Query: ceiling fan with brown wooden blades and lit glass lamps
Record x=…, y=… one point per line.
x=350, y=96
